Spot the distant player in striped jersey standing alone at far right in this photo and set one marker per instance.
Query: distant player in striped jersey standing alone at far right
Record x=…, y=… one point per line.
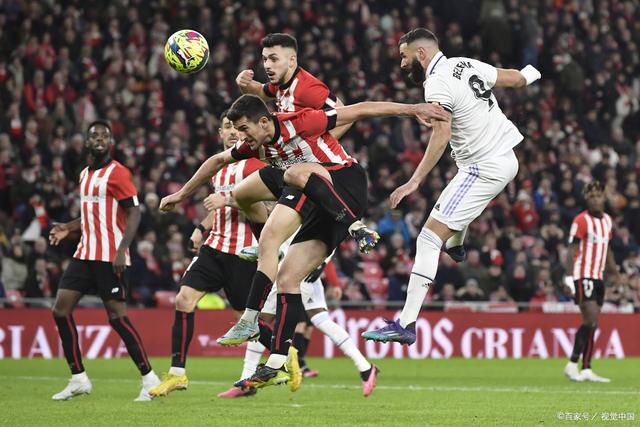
x=587, y=258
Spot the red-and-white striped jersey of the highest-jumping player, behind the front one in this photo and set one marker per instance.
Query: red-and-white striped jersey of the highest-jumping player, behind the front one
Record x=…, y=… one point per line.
x=303, y=90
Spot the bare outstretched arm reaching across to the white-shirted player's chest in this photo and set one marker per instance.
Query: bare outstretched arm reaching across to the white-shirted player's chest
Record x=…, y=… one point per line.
x=368, y=110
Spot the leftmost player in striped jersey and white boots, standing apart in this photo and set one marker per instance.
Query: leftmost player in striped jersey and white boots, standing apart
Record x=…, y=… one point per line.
x=110, y=216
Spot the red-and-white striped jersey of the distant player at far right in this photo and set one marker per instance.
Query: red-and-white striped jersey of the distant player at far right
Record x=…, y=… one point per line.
x=594, y=235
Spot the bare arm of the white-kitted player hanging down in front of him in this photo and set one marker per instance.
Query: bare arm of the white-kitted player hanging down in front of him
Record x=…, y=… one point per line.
x=437, y=144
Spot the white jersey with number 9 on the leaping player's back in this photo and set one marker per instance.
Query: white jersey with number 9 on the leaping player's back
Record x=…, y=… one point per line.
x=479, y=128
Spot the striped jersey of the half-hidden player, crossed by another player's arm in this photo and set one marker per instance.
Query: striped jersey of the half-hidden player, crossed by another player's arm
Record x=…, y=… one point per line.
x=230, y=232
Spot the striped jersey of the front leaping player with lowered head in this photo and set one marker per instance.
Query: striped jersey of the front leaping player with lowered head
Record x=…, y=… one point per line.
x=300, y=137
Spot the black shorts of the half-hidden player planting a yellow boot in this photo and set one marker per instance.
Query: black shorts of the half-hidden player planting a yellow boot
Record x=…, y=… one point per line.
x=212, y=270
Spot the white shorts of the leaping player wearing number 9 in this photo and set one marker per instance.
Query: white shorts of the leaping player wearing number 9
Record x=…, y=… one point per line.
x=471, y=190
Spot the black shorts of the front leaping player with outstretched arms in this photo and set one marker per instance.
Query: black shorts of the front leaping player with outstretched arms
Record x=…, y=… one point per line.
x=350, y=182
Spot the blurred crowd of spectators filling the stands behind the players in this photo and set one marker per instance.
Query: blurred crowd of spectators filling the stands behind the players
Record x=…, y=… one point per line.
x=65, y=63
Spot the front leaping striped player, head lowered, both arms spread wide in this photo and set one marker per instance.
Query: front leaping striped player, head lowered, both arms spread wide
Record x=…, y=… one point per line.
x=297, y=145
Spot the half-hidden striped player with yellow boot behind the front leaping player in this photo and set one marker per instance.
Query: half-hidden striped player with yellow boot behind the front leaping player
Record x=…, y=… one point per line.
x=217, y=265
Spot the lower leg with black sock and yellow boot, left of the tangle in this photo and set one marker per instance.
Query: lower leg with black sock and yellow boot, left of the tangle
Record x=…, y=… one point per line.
x=181, y=335
